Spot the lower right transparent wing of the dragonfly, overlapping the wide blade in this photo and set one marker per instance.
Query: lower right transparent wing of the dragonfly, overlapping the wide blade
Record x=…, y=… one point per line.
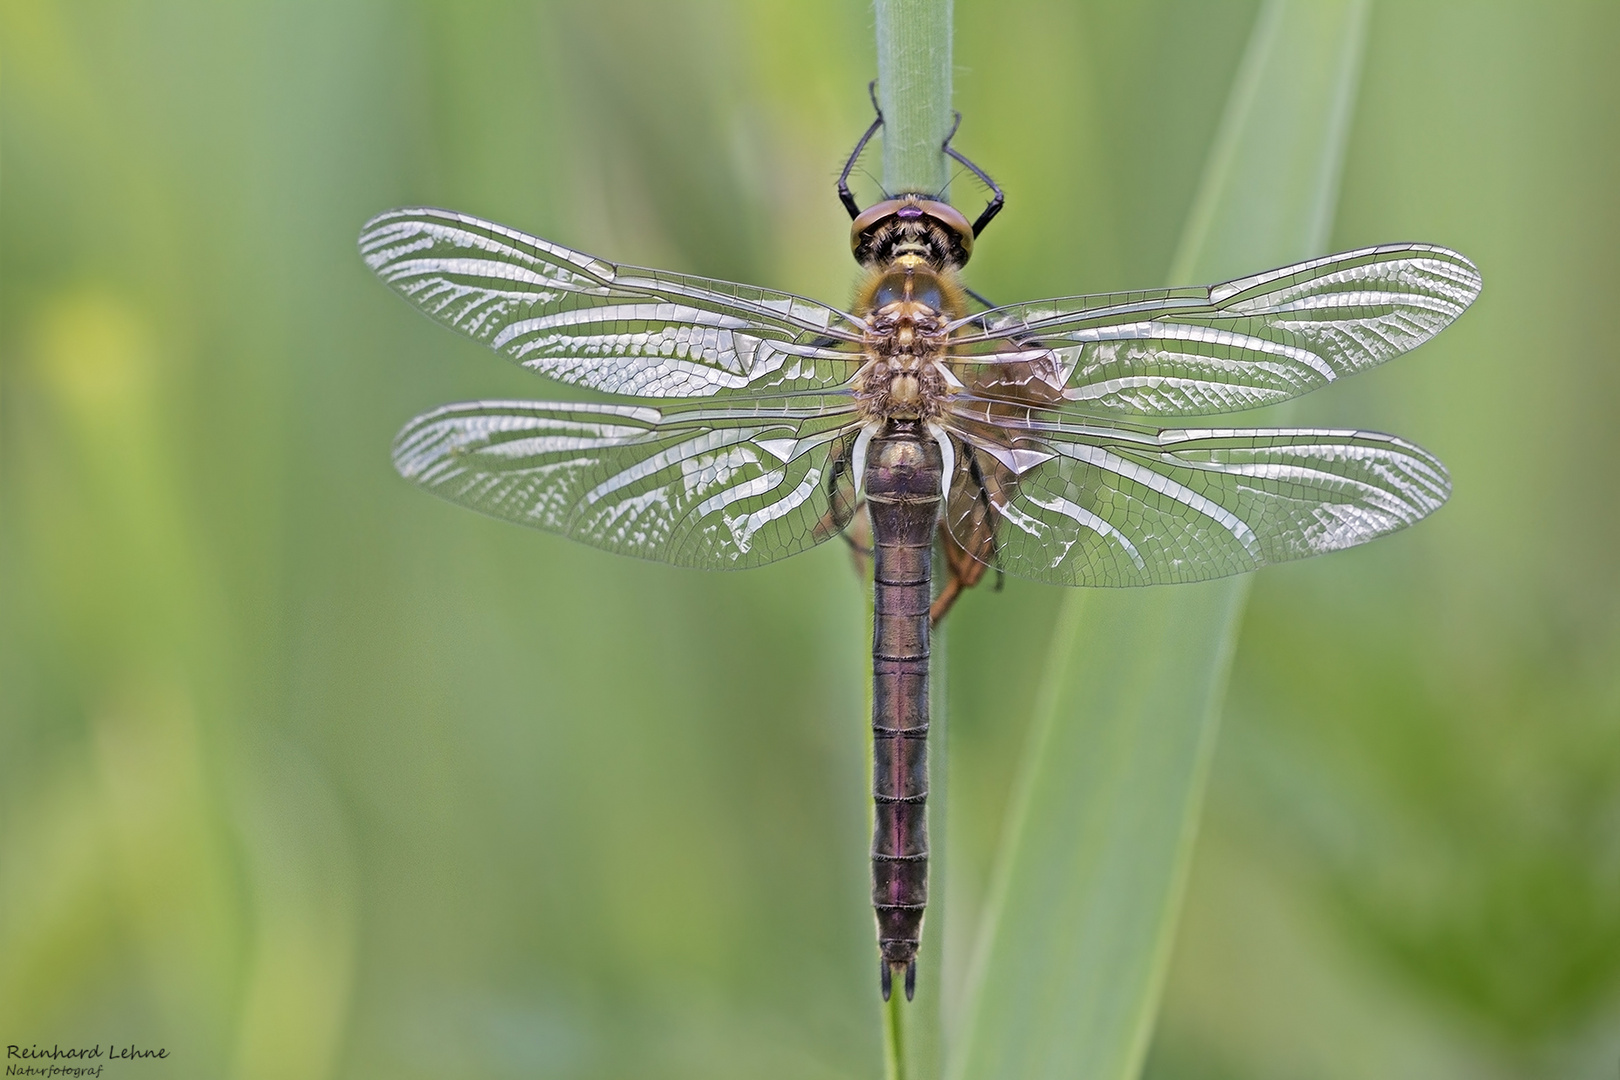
x=1073, y=504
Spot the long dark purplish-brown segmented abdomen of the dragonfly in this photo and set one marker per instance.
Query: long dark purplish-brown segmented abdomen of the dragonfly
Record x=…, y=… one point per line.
x=903, y=498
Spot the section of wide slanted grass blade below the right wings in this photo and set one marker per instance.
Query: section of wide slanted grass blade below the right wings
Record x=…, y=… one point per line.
x=1083, y=914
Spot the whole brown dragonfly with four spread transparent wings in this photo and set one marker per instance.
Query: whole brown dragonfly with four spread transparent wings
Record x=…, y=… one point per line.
x=749, y=425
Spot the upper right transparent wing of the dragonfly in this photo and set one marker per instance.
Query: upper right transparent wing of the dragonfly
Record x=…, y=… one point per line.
x=1230, y=347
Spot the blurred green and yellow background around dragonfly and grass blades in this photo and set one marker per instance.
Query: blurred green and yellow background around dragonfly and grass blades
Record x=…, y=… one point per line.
x=307, y=775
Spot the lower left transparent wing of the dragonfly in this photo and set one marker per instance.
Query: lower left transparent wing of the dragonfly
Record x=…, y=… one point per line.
x=693, y=487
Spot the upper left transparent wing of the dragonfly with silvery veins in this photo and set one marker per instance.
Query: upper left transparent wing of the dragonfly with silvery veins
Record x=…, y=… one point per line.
x=613, y=328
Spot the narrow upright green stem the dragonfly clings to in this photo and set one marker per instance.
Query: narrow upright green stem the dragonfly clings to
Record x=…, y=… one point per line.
x=914, y=93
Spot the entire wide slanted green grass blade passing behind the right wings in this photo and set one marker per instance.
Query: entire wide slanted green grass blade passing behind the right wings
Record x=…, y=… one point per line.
x=1083, y=909
